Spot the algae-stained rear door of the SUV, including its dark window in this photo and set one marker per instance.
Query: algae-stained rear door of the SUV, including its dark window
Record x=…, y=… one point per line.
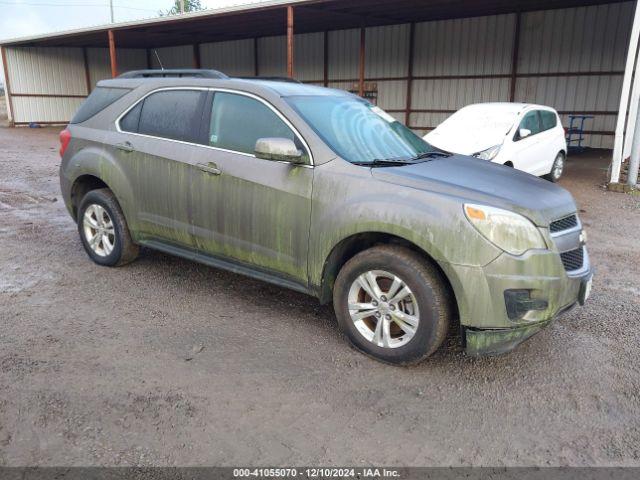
x=157, y=146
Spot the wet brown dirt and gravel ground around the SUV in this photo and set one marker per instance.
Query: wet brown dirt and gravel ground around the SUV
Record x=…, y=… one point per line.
x=167, y=362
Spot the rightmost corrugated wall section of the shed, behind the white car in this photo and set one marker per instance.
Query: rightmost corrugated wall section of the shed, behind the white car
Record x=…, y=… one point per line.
x=585, y=42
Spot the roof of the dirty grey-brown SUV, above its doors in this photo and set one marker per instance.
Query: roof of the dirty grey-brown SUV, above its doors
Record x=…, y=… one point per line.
x=279, y=87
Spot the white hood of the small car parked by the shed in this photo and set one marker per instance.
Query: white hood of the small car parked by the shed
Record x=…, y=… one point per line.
x=468, y=143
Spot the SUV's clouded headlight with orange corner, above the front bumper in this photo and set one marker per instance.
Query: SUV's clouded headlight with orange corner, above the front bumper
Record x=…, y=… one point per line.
x=507, y=230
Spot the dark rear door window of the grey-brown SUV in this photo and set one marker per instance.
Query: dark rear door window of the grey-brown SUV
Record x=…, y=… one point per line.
x=172, y=114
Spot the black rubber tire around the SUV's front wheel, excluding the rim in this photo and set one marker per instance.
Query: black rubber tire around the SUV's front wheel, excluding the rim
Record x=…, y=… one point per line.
x=426, y=283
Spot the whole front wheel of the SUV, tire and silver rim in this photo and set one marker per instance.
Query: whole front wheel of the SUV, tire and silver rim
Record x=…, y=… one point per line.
x=392, y=304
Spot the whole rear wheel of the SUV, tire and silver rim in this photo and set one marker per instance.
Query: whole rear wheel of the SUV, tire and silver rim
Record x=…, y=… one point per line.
x=103, y=229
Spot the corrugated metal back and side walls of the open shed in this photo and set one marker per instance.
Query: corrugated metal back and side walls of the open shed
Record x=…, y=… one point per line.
x=571, y=59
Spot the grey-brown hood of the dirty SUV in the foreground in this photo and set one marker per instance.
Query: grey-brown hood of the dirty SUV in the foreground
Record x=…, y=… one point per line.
x=478, y=181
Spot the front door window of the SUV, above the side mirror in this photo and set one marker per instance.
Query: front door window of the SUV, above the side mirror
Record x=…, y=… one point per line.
x=238, y=121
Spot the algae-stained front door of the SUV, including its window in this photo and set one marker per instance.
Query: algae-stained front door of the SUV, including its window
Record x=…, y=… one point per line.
x=253, y=211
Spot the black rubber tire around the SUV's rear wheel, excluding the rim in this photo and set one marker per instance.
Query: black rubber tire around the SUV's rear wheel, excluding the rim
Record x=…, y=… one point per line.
x=124, y=250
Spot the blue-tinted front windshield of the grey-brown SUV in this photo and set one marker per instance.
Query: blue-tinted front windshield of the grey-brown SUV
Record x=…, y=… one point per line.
x=358, y=131
